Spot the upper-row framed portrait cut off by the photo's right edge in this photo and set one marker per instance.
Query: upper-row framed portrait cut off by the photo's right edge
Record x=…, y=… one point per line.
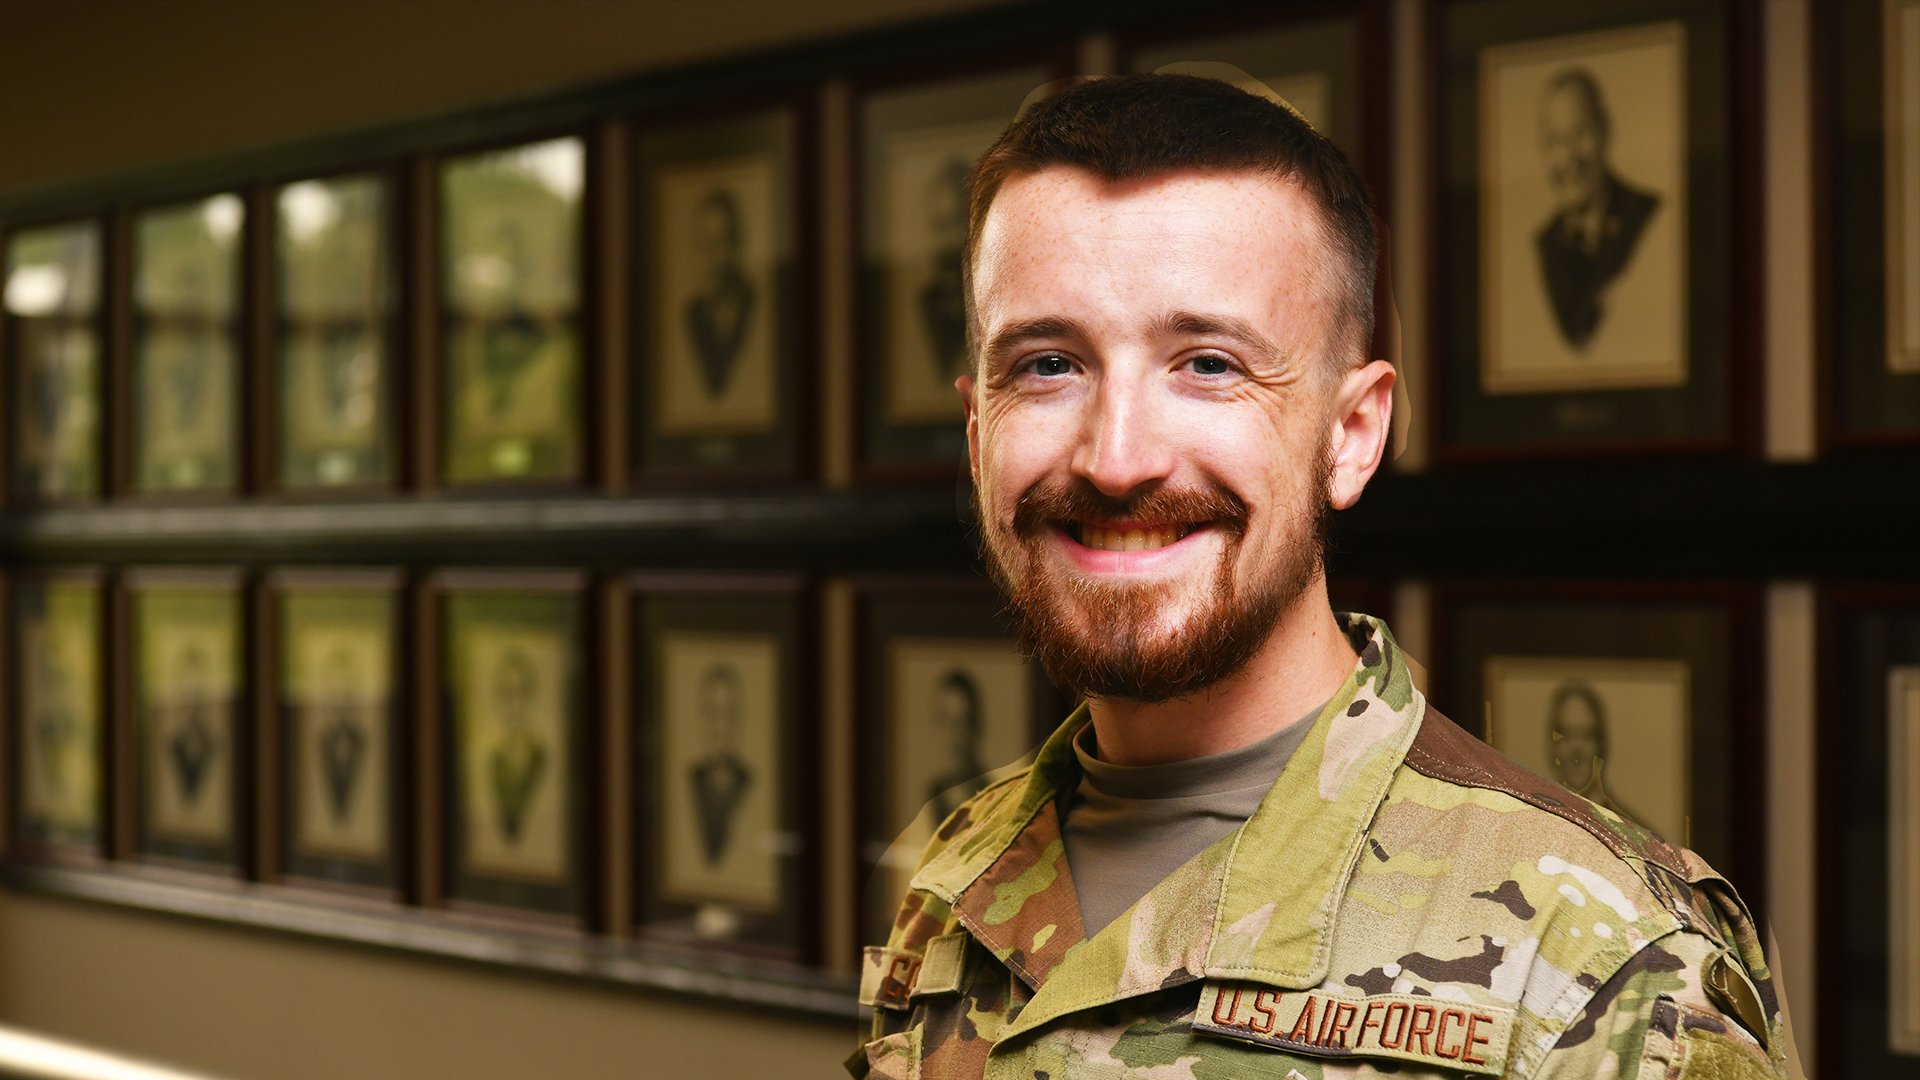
x=1871, y=287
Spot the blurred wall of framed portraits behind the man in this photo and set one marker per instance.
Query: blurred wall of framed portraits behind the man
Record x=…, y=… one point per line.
x=487, y=558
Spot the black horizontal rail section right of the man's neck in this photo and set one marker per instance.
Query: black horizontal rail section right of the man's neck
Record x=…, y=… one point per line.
x=1696, y=518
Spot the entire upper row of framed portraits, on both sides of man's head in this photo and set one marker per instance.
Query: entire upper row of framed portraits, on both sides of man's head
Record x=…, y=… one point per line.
x=437, y=322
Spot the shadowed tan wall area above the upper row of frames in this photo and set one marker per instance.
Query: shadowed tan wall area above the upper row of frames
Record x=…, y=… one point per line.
x=103, y=86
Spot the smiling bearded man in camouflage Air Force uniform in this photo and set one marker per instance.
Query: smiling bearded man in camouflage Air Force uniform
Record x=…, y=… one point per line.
x=1170, y=299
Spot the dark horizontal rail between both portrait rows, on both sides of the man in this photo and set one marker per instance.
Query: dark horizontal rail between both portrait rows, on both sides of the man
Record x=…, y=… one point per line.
x=1648, y=518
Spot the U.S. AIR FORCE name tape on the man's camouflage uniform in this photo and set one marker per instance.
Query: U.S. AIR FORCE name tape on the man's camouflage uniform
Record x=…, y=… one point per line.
x=1433, y=1031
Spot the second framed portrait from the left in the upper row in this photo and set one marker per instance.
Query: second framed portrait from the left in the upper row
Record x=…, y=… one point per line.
x=187, y=347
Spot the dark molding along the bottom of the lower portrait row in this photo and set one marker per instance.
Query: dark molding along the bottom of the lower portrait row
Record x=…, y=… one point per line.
x=435, y=935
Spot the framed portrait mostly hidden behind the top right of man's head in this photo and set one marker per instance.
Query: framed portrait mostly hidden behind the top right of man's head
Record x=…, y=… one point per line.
x=1316, y=64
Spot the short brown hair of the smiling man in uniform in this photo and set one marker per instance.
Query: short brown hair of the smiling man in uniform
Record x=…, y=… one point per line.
x=1143, y=126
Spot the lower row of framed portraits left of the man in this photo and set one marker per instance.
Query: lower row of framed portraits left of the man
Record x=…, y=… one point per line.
x=446, y=741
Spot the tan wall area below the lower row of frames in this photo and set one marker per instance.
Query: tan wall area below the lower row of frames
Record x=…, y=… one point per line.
x=252, y=1006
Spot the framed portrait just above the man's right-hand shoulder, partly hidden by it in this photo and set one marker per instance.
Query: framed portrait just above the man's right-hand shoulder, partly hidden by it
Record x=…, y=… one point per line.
x=1637, y=699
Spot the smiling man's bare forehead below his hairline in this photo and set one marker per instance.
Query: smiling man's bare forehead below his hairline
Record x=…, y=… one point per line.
x=1188, y=241
